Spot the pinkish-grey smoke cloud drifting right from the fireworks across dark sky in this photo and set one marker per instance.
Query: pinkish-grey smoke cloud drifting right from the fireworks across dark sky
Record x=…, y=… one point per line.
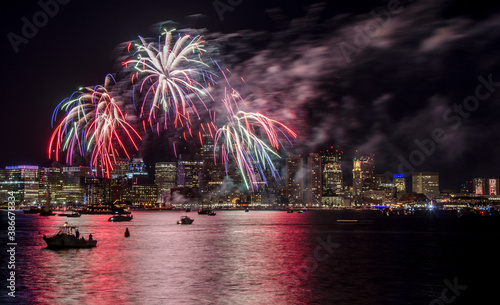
x=392, y=90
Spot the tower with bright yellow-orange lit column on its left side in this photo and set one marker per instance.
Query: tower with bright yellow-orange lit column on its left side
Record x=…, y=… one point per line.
x=363, y=172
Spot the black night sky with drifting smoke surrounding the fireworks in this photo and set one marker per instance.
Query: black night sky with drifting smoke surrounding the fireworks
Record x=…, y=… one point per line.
x=338, y=73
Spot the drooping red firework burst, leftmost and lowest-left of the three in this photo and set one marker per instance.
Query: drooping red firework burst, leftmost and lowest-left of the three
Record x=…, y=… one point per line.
x=94, y=125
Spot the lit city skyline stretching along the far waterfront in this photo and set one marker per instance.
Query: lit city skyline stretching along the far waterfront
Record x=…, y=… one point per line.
x=306, y=180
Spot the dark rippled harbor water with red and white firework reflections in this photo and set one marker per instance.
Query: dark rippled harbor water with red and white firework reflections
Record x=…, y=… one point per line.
x=259, y=257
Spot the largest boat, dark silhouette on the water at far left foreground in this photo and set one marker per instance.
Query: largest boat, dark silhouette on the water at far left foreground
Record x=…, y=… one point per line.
x=68, y=237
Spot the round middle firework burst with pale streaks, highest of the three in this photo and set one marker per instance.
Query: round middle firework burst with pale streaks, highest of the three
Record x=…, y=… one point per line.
x=174, y=74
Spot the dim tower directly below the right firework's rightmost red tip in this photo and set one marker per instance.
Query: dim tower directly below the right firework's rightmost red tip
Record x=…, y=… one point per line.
x=294, y=179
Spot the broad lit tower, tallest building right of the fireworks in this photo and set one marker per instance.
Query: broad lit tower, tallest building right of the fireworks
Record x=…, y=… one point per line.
x=332, y=177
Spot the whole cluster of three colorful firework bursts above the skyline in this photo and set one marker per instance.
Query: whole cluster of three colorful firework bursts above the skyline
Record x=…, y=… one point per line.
x=174, y=82
